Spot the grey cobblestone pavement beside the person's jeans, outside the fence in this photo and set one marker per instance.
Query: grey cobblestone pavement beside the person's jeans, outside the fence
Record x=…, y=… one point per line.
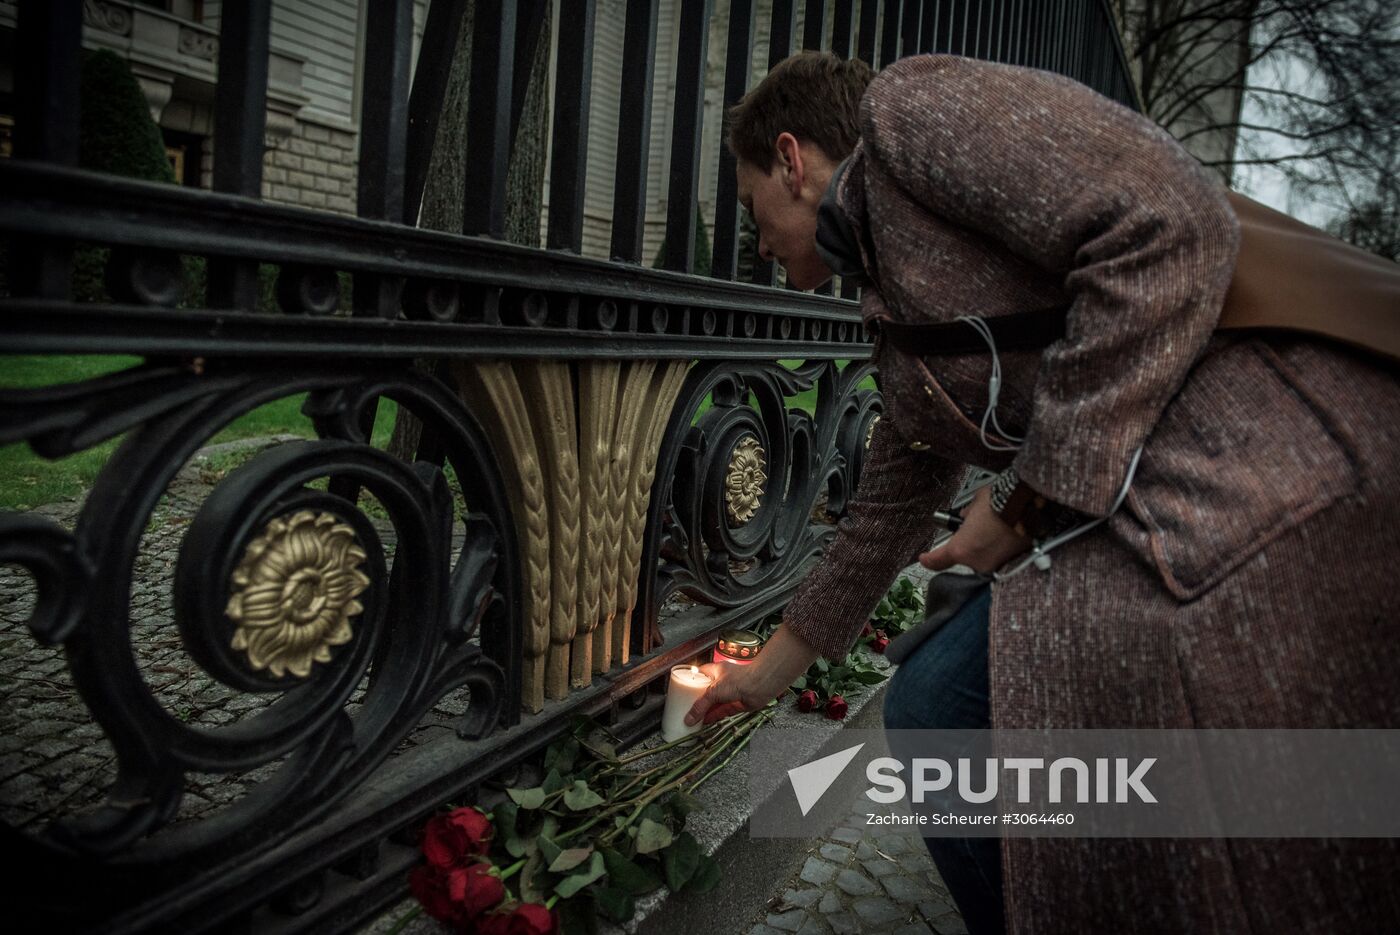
x=860, y=880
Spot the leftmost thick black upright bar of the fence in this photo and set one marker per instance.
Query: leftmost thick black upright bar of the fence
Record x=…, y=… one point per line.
x=48, y=69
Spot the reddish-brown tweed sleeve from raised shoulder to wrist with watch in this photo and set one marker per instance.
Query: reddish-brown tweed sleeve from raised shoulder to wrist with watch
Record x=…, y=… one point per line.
x=1084, y=188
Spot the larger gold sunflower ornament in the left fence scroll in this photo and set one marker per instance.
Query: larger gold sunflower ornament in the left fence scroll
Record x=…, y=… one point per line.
x=295, y=593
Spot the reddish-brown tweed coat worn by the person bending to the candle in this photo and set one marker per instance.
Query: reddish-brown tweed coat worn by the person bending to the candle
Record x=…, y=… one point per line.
x=1249, y=579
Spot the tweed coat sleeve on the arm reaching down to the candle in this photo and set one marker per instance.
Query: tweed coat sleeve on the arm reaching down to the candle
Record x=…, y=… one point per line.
x=888, y=523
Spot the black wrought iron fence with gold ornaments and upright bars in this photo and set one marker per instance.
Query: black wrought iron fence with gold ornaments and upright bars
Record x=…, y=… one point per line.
x=598, y=437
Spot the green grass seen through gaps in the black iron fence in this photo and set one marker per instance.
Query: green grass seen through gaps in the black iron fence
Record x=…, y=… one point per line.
x=29, y=481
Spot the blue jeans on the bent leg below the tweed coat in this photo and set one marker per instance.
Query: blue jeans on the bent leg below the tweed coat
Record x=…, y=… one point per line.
x=944, y=687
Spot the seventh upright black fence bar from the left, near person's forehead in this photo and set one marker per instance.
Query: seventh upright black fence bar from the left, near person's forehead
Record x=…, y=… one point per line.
x=685, y=136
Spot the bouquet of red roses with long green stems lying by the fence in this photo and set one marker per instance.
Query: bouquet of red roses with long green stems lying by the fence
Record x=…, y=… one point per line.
x=600, y=831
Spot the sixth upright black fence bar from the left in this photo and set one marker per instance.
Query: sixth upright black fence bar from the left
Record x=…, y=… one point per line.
x=639, y=61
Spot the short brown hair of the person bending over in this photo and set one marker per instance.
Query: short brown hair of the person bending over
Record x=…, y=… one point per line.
x=814, y=96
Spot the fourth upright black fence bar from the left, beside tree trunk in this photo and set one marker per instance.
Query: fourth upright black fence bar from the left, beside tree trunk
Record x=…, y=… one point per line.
x=489, y=118
